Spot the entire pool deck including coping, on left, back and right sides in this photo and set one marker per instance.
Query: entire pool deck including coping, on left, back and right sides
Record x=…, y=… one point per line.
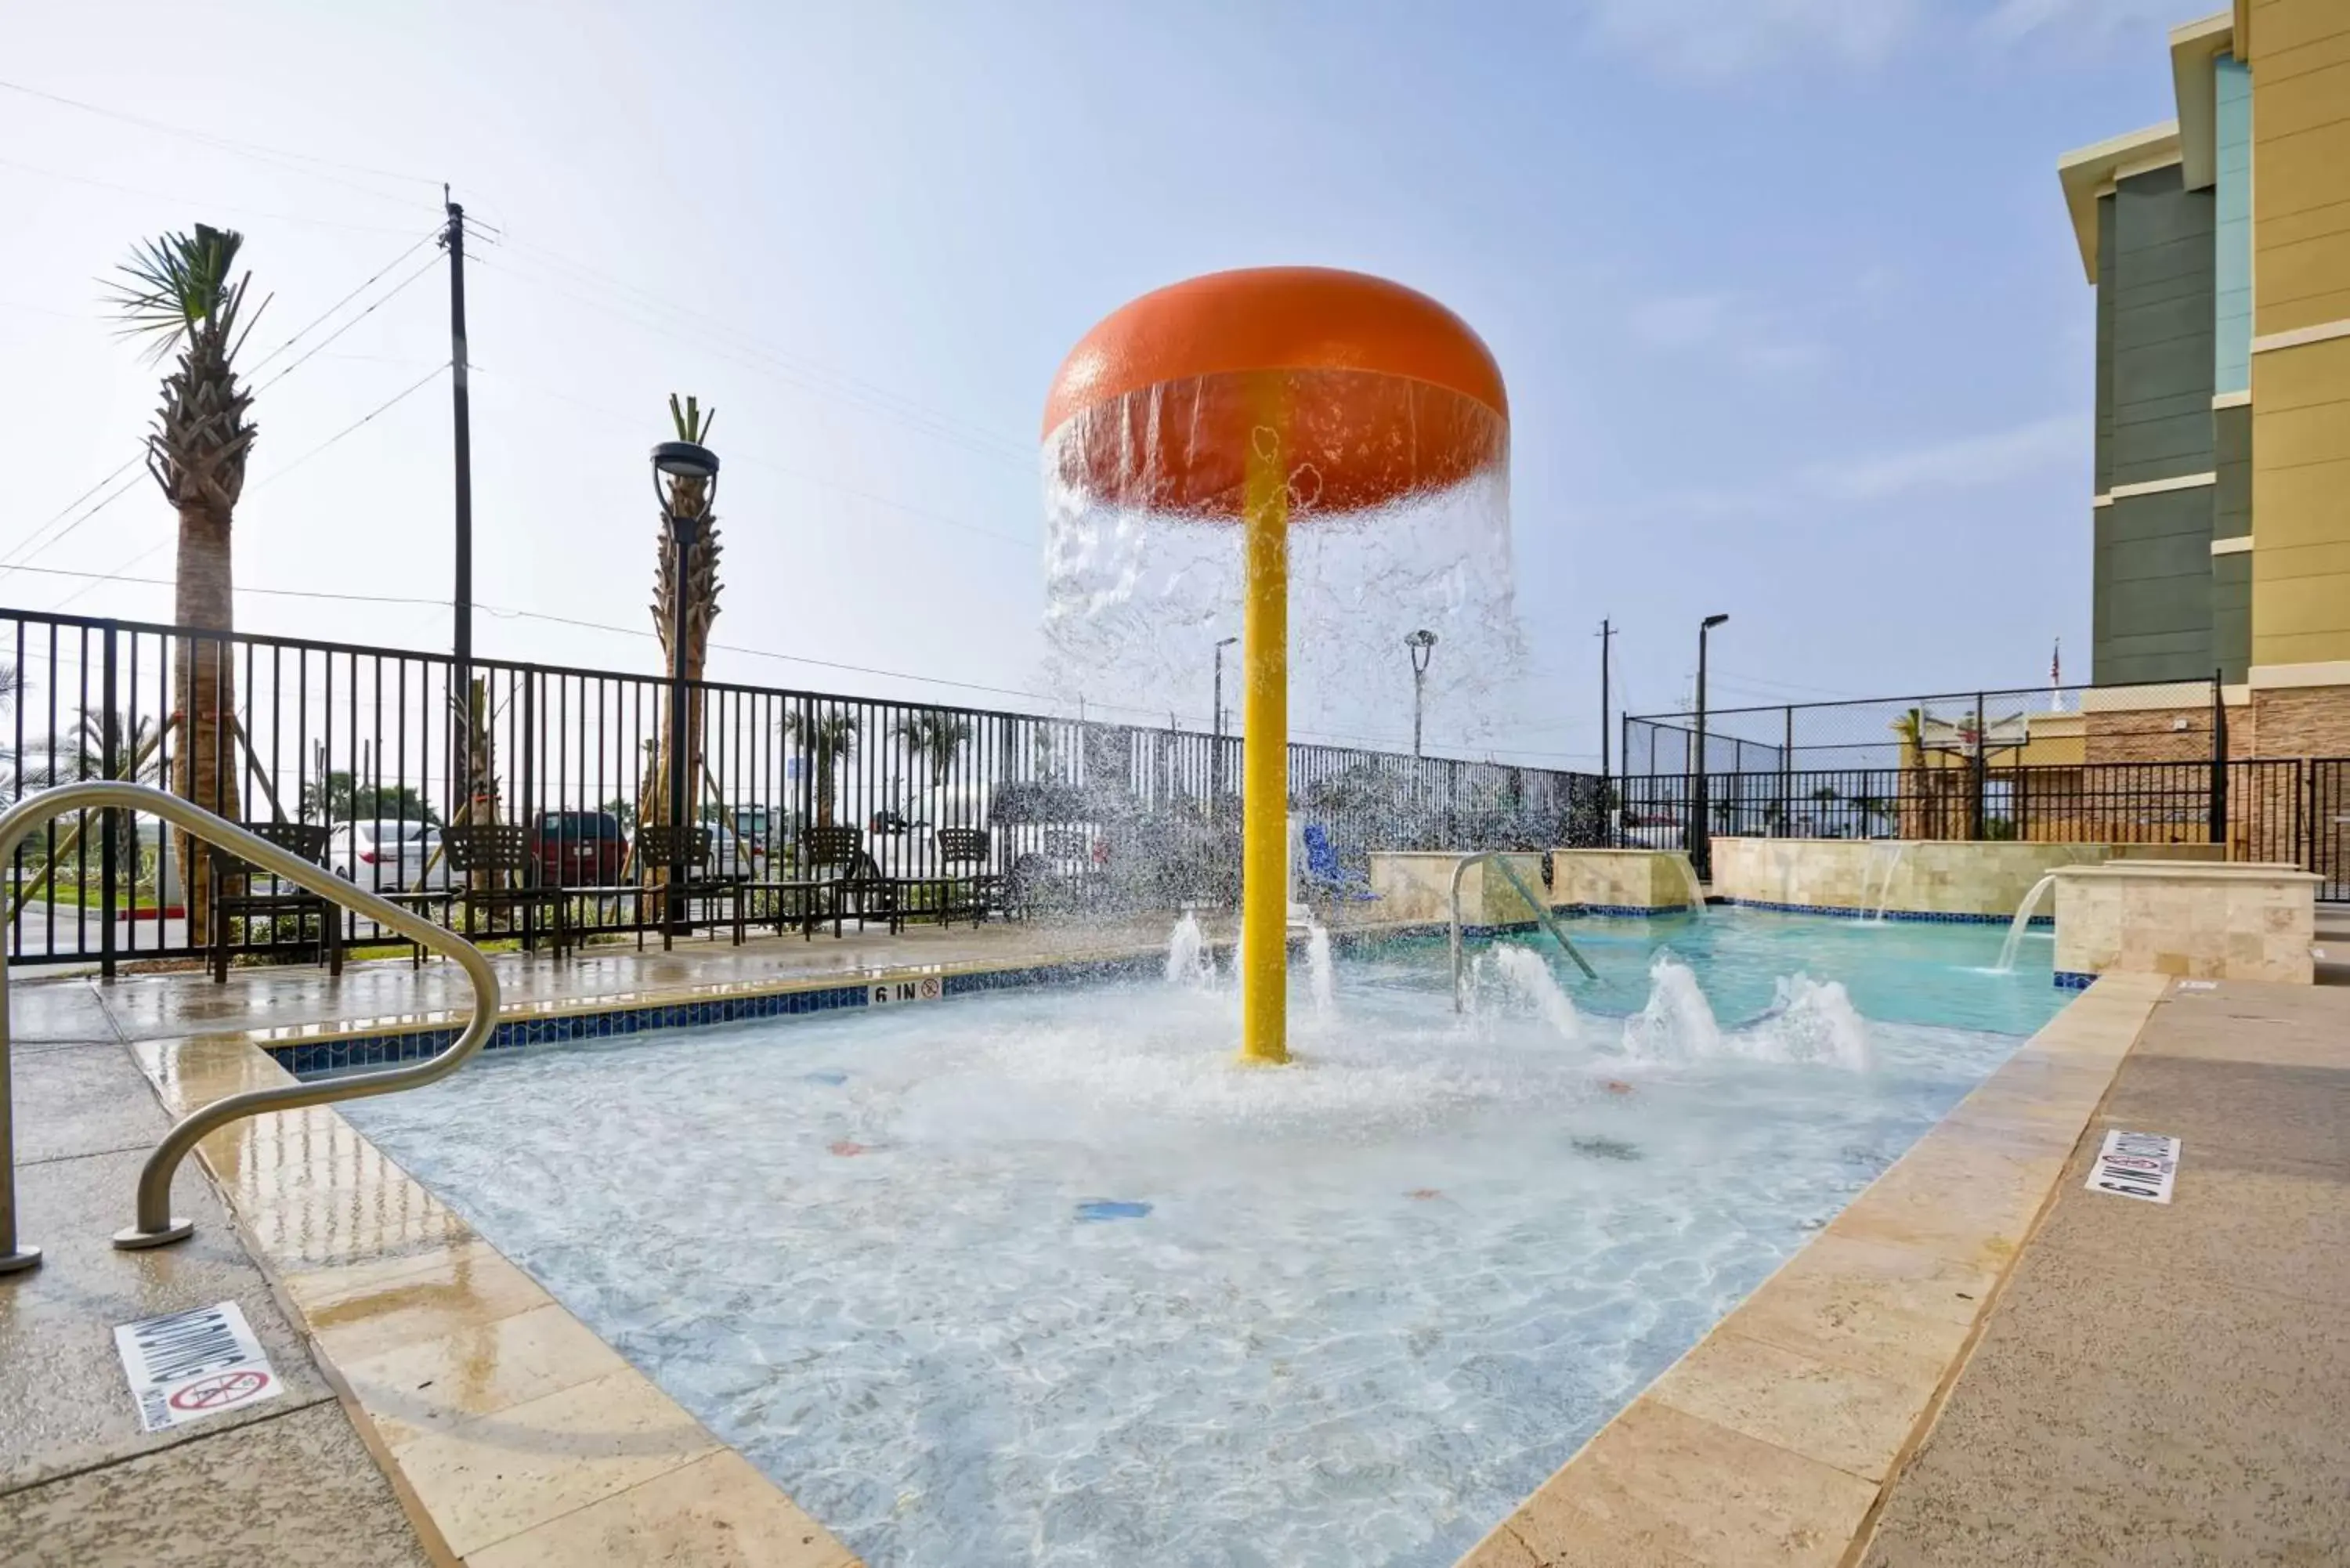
x=1923, y=1383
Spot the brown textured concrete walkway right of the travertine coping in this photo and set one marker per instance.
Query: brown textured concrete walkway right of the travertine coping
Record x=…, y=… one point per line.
x=2166, y=1383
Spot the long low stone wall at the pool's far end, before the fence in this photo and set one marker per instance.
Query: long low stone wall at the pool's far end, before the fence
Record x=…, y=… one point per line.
x=1933, y=878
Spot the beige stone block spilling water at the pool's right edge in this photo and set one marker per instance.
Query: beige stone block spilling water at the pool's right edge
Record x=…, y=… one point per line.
x=2208, y=923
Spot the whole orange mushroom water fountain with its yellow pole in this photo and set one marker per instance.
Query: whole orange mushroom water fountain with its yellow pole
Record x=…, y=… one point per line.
x=1270, y=398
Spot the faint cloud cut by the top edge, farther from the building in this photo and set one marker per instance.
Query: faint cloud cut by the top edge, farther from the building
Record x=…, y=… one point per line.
x=1724, y=39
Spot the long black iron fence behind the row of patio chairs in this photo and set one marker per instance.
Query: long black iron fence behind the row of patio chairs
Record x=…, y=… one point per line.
x=382, y=751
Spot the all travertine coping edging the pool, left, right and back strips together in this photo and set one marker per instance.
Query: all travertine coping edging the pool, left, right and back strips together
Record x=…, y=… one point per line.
x=521, y=1440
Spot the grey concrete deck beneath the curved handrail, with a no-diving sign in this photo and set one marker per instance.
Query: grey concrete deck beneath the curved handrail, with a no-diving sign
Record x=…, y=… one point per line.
x=281, y=1482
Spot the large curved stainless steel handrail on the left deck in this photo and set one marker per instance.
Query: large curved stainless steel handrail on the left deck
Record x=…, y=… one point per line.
x=156, y=1226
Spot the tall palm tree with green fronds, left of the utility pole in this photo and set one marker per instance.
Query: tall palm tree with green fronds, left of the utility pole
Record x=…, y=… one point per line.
x=180, y=295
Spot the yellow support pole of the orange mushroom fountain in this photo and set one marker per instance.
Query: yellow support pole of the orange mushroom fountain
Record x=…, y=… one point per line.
x=1265, y=756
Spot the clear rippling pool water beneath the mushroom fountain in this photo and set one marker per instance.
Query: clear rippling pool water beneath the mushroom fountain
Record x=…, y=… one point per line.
x=1045, y=1278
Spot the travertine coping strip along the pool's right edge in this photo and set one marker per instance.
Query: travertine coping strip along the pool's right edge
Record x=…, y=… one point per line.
x=1773, y=1440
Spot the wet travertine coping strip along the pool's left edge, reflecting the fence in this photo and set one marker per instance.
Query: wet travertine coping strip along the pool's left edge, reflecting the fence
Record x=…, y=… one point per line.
x=513, y=1435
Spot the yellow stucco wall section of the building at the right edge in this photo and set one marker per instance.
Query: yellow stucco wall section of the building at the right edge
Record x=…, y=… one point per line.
x=2302, y=281
